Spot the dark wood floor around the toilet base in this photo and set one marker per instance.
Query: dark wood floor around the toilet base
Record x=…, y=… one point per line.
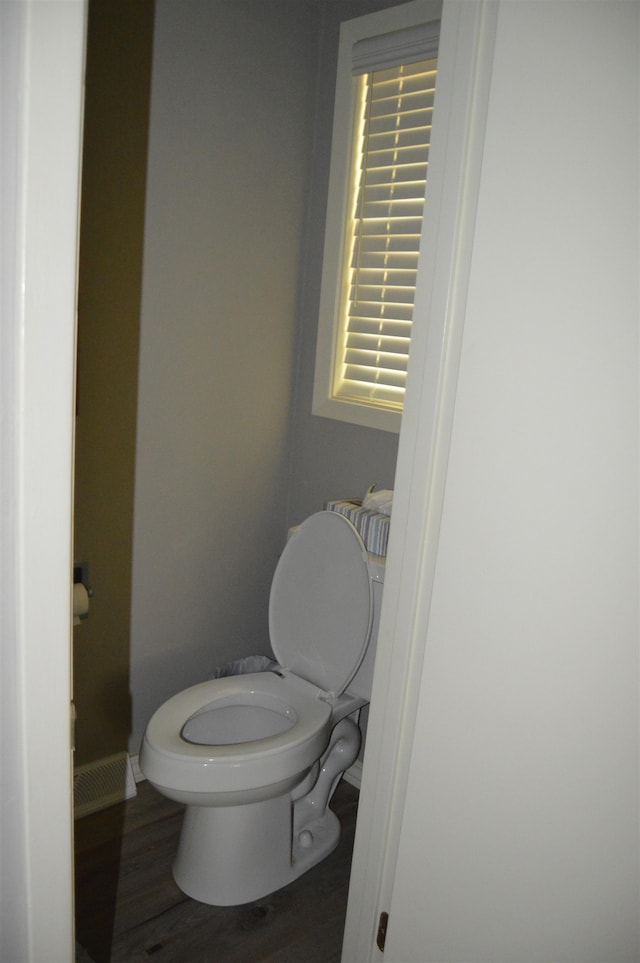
x=128, y=908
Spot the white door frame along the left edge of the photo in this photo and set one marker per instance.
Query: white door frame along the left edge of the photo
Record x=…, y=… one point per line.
x=43, y=46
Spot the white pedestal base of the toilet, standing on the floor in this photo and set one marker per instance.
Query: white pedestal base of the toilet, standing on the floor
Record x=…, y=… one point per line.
x=230, y=856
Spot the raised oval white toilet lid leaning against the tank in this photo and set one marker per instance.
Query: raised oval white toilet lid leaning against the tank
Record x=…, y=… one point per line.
x=321, y=604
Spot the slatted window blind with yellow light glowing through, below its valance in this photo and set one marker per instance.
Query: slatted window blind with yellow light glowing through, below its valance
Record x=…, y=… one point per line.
x=384, y=242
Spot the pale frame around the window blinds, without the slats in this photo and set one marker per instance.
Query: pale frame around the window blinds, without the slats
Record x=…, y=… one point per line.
x=345, y=142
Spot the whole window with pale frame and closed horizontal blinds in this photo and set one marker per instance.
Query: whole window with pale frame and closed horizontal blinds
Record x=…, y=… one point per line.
x=382, y=127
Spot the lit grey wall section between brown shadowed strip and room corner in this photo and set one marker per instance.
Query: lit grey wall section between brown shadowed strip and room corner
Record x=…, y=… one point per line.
x=229, y=153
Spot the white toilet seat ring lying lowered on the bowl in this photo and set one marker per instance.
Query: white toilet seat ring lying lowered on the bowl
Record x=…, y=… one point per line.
x=238, y=766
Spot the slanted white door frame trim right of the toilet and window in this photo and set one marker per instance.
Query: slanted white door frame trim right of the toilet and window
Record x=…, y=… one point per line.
x=465, y=59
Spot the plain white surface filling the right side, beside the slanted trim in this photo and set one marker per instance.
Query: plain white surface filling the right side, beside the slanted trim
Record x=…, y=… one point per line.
x=520, y=833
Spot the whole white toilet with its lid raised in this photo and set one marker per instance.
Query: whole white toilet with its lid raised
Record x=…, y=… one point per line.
x=256, y=758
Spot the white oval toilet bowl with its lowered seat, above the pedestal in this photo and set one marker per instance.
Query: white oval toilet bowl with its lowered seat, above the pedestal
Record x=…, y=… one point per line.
x=246, y=737
